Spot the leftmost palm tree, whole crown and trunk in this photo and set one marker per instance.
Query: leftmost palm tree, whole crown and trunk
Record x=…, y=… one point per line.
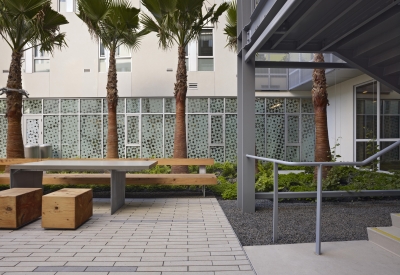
x=24, y=25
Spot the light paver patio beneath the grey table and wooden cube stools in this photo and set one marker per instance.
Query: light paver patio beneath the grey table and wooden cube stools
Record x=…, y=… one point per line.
x=147, y=236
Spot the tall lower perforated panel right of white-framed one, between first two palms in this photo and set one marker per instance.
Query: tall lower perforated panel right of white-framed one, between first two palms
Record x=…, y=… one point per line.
x=51, y=132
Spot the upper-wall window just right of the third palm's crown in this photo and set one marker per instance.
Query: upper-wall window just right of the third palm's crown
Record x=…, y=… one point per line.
x=205, y=52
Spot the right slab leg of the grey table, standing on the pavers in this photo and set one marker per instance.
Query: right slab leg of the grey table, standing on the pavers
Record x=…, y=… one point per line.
x=117, y=190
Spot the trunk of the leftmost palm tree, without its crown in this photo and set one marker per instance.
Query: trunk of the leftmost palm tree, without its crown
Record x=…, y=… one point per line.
x=15, y=145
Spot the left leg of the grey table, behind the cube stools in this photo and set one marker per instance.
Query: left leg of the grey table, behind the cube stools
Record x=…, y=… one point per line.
x=25, y=179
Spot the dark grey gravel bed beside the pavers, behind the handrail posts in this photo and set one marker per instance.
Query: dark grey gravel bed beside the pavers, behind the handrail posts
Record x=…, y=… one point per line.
x=341, y=221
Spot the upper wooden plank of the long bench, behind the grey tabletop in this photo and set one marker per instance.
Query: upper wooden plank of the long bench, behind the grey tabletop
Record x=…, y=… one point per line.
x=171, y=161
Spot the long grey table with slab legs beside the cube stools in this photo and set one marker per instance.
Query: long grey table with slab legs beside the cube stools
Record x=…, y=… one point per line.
x=30, y=175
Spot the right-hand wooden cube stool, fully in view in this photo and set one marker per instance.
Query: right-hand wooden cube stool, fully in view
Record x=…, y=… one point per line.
x=67, y=208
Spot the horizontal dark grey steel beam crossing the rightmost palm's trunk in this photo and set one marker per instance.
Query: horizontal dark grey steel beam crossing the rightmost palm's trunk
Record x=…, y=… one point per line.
x=301, y=65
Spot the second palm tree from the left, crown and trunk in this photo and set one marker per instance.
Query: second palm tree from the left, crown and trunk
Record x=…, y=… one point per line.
x=115, y=23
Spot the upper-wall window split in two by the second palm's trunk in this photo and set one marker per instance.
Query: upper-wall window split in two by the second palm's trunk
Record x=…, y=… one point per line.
x=122, y=59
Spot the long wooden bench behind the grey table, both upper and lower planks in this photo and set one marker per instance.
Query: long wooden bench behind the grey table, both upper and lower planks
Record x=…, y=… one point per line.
x=201, y=179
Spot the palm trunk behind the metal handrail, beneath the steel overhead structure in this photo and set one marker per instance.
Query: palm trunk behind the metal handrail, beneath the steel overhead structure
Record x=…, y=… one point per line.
x=320, y=102
